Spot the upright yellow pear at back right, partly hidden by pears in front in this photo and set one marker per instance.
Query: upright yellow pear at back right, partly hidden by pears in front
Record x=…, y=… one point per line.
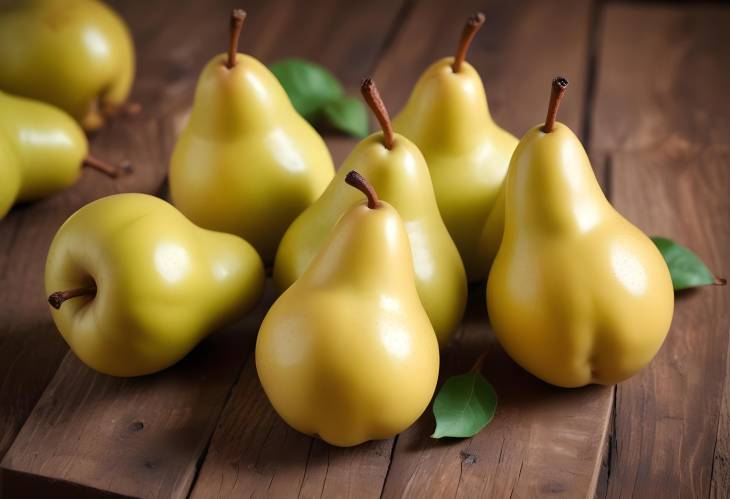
x=447, y=117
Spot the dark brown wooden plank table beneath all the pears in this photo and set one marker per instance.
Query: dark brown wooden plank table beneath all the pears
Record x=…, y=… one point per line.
x=648, y=96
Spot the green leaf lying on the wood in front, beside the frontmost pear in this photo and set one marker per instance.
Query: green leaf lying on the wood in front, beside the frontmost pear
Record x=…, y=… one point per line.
x=464, y=405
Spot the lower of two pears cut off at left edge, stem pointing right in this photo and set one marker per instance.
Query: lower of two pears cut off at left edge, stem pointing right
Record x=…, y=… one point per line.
x=44, y=150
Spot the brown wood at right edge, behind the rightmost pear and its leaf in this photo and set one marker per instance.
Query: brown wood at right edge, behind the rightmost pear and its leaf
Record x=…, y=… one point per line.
x=665, y=128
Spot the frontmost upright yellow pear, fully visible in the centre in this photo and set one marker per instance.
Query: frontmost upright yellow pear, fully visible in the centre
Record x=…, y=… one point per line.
x=347, y=352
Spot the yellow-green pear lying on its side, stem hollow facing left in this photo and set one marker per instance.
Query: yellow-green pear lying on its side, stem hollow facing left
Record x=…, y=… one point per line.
x=134, y=286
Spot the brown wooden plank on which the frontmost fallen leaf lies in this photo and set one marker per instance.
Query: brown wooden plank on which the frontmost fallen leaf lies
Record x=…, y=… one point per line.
x=543, y=440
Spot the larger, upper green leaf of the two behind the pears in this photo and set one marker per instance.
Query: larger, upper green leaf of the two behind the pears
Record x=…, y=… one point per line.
x=308, y=85
